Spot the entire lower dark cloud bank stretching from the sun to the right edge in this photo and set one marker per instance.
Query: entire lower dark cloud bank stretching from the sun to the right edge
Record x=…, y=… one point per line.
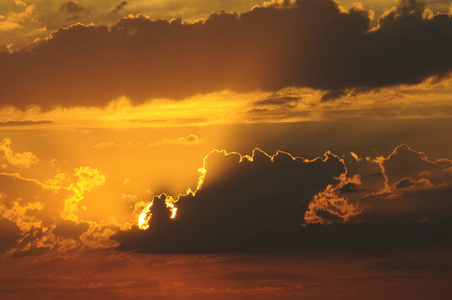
x=263, y=205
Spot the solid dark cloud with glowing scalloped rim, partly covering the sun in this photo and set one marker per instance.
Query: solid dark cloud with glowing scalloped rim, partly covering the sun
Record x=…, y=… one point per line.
x=246, y=206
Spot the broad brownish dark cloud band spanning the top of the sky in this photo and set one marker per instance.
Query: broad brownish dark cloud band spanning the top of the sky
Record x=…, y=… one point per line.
x=308, y=43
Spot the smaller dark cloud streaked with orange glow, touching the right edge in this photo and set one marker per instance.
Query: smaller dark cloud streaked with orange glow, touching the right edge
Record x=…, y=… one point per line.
x=415, y=190
